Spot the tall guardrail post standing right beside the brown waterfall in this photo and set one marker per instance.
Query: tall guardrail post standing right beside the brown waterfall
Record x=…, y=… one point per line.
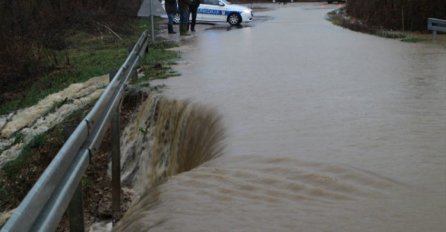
x=116, y=160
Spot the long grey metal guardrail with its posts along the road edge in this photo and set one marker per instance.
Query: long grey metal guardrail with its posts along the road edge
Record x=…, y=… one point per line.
x=45, y=203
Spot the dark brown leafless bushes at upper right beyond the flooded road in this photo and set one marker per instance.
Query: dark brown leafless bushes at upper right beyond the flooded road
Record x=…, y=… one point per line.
x=409, y=15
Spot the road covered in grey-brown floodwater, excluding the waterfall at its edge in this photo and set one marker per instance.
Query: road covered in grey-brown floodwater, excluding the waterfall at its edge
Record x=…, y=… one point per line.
x=327, y=130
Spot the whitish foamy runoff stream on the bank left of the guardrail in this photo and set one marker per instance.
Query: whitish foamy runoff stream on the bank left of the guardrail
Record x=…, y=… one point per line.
x=38, y=119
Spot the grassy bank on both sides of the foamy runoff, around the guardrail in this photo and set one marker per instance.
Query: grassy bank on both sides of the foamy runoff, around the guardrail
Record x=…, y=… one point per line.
x=88, y=55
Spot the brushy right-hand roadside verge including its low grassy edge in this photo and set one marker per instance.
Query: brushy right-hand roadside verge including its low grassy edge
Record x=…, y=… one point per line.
x=403, y=20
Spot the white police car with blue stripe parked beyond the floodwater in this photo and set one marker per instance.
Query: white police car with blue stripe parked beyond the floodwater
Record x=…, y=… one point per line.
x=220, y=11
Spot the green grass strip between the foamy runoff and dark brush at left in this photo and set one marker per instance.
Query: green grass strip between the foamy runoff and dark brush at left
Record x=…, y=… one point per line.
x=88, y=55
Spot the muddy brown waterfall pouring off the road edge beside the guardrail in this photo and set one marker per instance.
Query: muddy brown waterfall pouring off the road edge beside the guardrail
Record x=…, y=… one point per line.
x=167, y=137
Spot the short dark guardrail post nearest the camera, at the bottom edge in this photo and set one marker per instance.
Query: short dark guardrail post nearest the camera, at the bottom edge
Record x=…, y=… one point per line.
x=75, y=210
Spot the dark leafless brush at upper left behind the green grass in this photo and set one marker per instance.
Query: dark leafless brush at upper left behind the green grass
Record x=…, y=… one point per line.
x=29, y=28
